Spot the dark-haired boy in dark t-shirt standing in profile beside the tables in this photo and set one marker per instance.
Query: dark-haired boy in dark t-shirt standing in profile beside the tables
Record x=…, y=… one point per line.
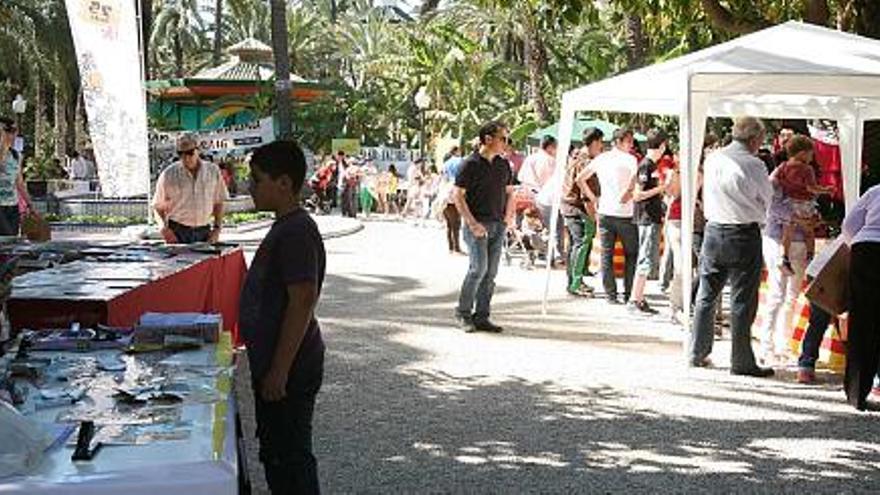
x=278, y=324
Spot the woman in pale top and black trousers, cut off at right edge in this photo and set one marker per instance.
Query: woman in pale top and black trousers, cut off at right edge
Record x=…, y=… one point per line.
x=861, y=230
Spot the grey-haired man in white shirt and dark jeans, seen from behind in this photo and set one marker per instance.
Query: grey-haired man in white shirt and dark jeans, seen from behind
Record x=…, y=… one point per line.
x=736, y=196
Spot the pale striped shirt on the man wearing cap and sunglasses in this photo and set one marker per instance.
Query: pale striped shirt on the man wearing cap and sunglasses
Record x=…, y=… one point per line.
x=190, y=200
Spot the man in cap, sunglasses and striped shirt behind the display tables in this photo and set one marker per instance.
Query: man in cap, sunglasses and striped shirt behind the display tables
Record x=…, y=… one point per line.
x=188, y=194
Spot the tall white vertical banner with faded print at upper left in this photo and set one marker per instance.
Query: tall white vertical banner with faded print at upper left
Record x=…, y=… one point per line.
x=105, y=33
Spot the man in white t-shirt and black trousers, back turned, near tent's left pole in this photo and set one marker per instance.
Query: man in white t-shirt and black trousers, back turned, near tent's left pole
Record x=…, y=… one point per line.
x=616, y=169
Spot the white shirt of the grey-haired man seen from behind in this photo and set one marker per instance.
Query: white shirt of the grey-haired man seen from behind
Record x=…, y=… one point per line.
x=736, y=187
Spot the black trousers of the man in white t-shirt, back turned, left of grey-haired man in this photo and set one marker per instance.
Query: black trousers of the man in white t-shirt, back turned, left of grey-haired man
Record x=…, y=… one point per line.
x=610, y=228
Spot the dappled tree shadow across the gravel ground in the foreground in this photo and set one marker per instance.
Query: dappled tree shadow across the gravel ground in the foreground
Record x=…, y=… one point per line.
x=388, y=423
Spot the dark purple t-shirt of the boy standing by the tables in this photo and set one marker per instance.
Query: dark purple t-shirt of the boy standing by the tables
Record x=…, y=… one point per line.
x=292, y=252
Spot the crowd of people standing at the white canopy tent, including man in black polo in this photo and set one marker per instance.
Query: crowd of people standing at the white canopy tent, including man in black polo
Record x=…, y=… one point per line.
x=755, y=214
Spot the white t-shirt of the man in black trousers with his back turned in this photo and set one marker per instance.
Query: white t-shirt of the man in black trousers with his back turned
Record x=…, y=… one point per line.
x=615, y=170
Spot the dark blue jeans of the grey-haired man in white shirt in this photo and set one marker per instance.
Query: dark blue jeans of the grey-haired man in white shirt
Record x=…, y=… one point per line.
x=730, y=252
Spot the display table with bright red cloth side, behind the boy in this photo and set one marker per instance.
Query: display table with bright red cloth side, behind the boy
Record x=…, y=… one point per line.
x=117, y=293
